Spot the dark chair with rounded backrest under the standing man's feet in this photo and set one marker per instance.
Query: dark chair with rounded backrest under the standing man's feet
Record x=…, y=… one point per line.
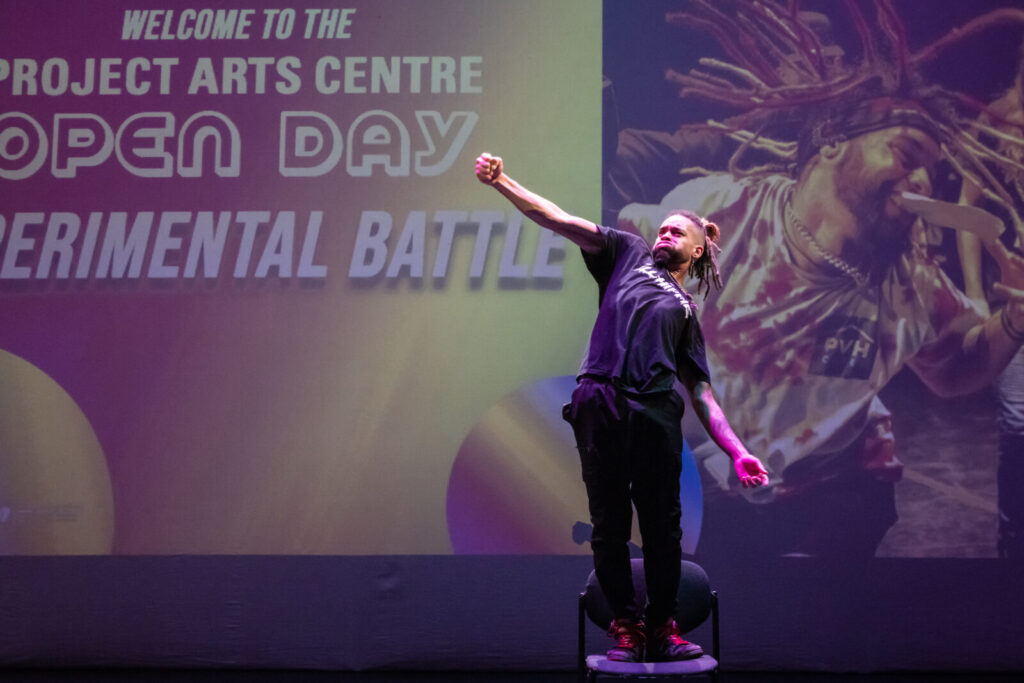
x=697, y=603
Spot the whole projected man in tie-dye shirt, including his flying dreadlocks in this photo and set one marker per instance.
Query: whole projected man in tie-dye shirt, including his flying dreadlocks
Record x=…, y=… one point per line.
x=822, y=174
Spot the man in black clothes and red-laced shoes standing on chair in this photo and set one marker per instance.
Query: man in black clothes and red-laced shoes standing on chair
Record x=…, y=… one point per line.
x=626, y=410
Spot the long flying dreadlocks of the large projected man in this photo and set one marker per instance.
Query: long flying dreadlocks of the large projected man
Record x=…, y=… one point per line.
x=776, y=71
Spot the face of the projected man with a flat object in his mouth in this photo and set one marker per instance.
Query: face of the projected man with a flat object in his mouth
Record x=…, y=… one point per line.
x=878, y=166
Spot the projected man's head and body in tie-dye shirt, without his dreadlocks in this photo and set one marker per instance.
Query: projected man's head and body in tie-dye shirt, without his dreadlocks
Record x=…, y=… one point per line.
x=829, y=301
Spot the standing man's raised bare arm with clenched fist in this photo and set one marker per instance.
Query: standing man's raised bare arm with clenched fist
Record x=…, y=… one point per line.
x=581, y=232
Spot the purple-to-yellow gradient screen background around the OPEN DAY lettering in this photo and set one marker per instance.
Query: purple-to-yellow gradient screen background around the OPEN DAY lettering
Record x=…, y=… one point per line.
x=285, y=415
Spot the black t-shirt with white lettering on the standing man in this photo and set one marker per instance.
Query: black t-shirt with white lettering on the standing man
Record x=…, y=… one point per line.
x=647, y=333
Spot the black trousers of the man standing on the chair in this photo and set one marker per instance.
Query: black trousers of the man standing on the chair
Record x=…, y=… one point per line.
x=631, y=455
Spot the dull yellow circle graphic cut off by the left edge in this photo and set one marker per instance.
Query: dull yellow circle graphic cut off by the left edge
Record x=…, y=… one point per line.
x=56, y=496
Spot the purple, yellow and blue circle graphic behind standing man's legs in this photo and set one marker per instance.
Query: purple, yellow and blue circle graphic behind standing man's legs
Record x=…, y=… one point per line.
x=516, y=486
